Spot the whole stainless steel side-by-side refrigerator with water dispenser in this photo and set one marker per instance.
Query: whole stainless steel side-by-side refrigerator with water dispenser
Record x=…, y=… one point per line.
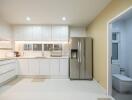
x=81, y=59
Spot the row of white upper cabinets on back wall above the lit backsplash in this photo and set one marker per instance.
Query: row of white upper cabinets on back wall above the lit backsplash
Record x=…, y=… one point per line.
x=41, y=33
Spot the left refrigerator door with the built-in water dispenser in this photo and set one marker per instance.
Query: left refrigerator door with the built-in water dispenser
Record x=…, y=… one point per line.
x=74, y=59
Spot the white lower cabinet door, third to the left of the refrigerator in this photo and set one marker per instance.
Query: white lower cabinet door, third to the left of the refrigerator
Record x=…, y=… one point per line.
x=44, y=65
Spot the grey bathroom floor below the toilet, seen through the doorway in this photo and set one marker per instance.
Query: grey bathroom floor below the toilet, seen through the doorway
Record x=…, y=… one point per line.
x=121, y=96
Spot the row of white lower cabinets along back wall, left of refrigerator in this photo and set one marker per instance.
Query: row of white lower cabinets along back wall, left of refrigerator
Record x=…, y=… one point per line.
x=44, y=67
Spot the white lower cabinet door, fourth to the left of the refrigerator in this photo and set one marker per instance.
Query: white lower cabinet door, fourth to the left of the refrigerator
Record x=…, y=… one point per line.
x=33, y=66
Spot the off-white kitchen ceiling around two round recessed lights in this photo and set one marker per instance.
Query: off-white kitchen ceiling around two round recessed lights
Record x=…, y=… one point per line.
x=77, y=12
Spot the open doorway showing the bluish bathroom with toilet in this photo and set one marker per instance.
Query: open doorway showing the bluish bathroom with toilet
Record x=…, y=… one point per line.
x=119, y=66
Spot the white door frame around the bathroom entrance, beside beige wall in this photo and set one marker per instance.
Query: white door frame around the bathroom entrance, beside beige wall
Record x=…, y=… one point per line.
x=109, y=49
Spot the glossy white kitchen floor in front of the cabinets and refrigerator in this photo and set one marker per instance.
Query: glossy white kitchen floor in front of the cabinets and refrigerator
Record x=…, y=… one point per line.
x=51, y=89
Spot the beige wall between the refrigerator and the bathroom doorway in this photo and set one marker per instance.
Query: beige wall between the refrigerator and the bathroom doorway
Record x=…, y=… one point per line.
x=98, y=30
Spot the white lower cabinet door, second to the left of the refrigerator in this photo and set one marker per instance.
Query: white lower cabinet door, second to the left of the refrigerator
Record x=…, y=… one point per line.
x=54, y=66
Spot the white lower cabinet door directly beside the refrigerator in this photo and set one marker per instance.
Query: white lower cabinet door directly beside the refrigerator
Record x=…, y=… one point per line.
x=64, y=67
